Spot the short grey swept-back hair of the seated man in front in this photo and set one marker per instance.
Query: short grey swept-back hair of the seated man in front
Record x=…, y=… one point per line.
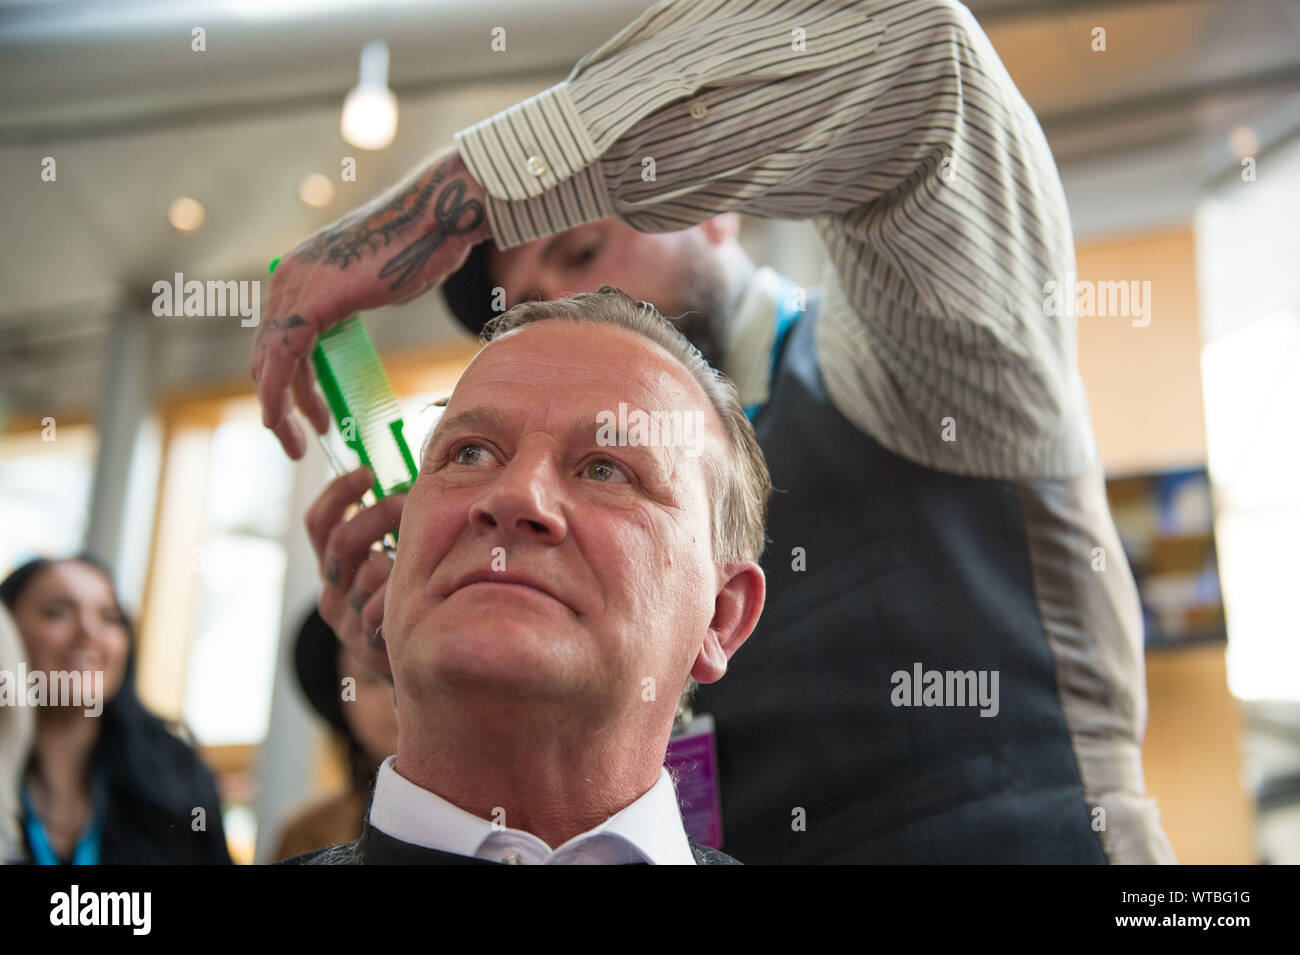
x=739, y=488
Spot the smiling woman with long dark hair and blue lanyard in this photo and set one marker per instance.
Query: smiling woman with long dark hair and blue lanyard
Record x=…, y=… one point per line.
x=119, y=788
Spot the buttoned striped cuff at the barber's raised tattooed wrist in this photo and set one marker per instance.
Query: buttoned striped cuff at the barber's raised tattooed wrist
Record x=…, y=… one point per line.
x=539, y=167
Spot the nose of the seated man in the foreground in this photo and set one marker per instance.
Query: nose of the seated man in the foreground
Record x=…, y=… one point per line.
x=525, y=500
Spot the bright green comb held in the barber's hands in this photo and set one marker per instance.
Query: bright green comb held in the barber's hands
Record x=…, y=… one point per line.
x=362, y=401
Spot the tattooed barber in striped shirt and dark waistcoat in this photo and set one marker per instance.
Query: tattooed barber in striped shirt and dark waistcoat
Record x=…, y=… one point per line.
x=941, y=497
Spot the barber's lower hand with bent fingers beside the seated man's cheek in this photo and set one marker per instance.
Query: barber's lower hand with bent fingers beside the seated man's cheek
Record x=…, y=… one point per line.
x=354, y=572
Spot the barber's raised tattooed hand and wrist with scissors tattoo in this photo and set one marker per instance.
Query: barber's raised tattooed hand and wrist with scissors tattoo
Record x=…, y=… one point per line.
x=389, y=251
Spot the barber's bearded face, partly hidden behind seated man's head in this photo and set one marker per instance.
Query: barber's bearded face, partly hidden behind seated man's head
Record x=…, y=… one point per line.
x=679, y=274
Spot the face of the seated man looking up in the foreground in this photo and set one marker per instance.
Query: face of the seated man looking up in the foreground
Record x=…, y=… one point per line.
x=538, y=566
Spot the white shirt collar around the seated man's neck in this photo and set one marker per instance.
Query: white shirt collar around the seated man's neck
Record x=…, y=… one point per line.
x=649, y=831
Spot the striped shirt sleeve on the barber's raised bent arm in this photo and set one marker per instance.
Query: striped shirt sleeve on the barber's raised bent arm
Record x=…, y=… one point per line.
x=891, y=125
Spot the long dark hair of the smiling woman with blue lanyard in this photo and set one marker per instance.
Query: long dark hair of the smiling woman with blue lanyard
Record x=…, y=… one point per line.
x=151, y=767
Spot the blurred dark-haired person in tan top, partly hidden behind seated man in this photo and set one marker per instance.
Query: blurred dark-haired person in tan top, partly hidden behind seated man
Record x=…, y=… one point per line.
x=365, y=724
